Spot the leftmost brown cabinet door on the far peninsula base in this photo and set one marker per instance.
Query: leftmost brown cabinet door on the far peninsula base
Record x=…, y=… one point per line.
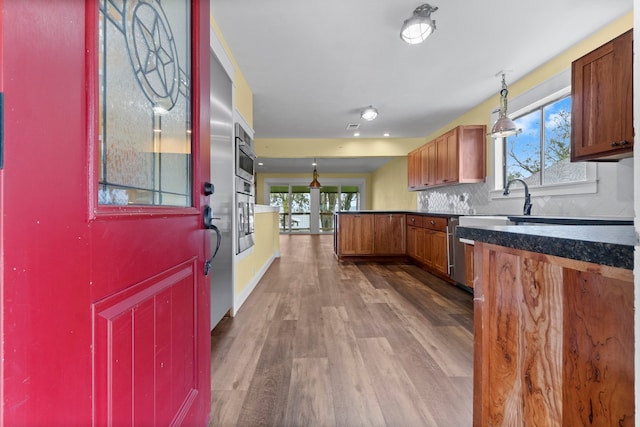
x=356, y=234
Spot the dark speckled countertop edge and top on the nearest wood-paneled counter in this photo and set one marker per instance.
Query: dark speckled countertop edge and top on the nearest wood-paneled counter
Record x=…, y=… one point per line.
x=600, y=244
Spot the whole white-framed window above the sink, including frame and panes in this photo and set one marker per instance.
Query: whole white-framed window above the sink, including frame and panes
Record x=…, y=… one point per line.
x=540, y=154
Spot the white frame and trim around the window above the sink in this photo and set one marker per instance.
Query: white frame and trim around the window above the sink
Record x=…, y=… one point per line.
x=544, y=93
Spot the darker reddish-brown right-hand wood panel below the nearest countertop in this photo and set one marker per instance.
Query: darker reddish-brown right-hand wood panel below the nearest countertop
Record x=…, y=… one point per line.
x=599, y=346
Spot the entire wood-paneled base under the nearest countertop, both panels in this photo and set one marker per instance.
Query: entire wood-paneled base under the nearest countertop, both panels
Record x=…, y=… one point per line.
x=553, y=341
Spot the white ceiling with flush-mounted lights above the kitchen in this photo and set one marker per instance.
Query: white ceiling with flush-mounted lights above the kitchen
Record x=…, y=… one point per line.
x=313, y=66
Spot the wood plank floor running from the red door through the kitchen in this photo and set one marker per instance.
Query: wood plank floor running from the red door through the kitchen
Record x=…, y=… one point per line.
x=323, y=343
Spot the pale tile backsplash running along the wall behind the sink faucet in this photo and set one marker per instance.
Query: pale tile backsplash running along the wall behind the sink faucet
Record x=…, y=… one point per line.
x=614, y=197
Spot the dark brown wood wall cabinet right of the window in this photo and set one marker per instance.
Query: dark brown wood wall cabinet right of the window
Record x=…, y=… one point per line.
x=602, y=102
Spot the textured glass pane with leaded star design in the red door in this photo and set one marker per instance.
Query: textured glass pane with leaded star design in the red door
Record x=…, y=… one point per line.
x=144, y=103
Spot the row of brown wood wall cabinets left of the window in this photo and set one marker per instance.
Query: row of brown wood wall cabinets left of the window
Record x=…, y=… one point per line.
x=458, y=156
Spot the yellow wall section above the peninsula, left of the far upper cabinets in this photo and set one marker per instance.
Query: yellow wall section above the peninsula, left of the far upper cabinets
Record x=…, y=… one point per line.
x=389, y=187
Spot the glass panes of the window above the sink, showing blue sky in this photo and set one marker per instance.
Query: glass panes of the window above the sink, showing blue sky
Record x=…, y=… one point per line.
x=540, y=154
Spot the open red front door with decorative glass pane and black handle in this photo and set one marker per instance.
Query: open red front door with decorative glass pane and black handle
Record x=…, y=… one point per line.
x=105, y=316
